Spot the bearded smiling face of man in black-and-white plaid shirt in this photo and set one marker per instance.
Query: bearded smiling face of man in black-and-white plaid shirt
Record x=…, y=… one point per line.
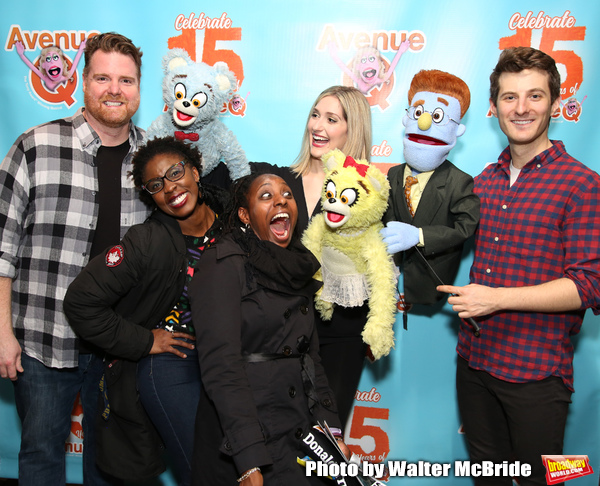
x=111, y=90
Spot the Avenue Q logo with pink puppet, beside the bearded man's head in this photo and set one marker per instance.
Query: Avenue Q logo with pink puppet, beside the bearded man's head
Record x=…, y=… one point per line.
x=49, y=72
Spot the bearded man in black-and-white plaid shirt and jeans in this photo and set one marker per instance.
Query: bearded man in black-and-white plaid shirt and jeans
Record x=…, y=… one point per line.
x=65, y=195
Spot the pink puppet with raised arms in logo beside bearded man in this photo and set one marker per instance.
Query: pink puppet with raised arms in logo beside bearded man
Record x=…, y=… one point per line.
x=53, y=70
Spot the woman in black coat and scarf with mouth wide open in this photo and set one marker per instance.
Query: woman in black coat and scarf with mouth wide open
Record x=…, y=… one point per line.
x=263, y=383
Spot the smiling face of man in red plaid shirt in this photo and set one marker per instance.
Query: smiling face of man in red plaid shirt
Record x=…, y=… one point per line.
x=524, y=109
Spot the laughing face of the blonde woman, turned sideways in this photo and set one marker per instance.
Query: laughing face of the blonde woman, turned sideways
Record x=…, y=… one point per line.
x=327, y=127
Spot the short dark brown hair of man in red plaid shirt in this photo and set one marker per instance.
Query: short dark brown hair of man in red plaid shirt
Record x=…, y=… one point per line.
x=517, y=59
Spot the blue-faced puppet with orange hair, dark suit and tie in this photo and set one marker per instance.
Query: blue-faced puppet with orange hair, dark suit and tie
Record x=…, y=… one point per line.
x=443, y=210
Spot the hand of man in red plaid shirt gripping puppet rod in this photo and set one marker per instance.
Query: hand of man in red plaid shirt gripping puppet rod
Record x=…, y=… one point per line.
x=472, y=300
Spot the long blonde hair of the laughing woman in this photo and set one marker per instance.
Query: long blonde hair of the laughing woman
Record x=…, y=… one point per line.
x=357, y=114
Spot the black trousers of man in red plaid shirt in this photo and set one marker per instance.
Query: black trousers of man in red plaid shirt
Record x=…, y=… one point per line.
x=506, y=421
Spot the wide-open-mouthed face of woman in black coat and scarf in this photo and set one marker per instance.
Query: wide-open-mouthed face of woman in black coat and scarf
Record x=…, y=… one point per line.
x=272, y=212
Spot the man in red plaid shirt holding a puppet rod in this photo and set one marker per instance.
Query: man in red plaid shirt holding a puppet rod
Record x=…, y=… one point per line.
x=536, y=269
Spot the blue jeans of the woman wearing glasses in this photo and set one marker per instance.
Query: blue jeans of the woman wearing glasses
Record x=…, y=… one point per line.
x=169, y=388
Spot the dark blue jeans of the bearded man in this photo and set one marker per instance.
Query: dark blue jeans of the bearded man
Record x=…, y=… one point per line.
x=44, y=398
